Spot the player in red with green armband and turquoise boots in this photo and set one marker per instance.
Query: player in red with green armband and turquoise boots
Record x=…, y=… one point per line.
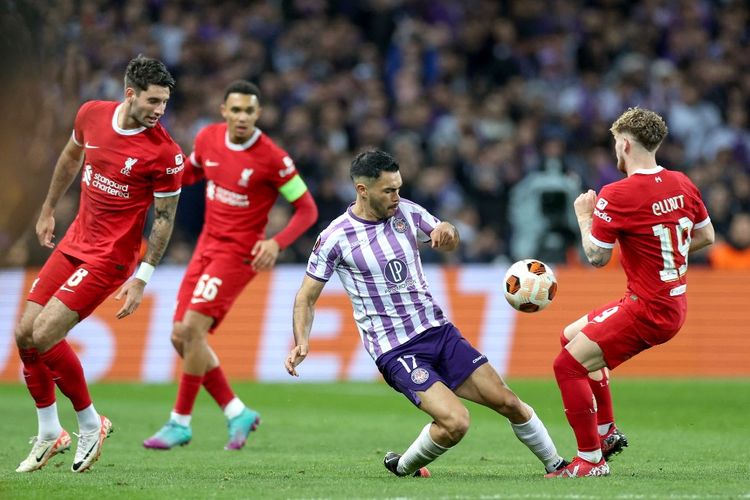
x=245, y=172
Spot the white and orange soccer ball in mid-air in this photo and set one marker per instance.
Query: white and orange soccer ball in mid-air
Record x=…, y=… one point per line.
x=529, y=285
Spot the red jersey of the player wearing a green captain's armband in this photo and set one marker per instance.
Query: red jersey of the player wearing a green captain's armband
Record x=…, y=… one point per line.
x=243, y=183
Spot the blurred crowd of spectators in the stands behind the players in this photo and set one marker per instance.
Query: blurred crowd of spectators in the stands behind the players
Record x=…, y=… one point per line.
x=497, y=111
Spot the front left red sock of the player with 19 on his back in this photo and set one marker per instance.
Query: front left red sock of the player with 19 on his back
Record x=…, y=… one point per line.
x=578, y=400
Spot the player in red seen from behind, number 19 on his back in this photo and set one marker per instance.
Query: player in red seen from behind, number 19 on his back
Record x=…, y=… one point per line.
x=658, y=217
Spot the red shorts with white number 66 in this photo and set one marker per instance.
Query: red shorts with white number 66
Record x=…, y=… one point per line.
x=212, y=283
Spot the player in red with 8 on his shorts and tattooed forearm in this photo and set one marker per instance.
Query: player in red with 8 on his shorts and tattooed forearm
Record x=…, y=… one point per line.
x=128, y=160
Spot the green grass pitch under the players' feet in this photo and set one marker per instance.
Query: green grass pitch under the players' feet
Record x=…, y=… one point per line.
x=689, y=439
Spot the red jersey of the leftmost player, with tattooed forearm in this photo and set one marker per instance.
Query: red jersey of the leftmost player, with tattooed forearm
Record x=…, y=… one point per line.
x=123, y=170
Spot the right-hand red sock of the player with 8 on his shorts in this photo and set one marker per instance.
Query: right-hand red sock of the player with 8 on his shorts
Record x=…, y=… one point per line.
x=67, y=373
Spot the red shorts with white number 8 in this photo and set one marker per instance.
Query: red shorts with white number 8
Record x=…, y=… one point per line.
x=78, y=285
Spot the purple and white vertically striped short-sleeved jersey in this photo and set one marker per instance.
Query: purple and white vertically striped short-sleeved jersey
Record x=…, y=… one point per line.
x=379, y=265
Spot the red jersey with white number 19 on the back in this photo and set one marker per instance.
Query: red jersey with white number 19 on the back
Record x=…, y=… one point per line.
x=652, y=213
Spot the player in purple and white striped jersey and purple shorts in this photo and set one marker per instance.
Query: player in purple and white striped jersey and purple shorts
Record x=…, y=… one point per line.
x=374, y=249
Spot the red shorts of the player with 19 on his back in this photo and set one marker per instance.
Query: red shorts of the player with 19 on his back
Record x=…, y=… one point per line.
x=620, y=331
